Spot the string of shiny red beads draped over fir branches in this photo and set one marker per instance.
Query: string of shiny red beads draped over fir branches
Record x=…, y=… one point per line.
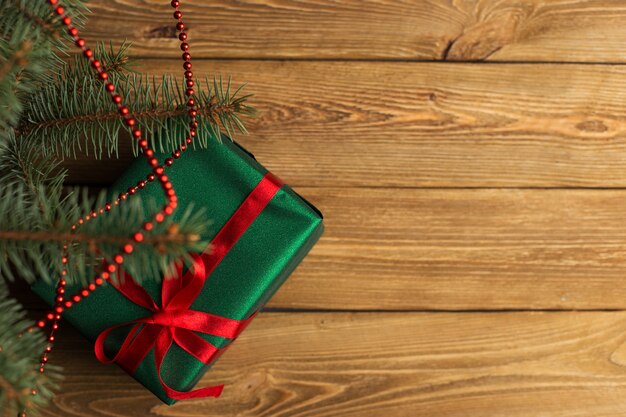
x=61, y=303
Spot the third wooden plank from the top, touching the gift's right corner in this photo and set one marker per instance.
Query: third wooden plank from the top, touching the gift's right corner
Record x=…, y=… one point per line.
x=462, y=250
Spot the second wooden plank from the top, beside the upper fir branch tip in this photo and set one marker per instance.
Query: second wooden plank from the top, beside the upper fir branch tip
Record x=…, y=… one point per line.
x=425, y=125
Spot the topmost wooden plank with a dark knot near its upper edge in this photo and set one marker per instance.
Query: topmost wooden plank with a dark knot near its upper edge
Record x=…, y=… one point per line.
x=498, y=30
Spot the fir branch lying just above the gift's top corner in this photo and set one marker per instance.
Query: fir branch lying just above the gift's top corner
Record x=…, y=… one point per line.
x=82, y=118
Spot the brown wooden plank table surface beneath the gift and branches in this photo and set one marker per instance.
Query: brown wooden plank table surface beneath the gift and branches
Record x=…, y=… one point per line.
x=470, y=158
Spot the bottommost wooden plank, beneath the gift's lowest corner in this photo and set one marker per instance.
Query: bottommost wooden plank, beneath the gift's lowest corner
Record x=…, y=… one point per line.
x=396, y=365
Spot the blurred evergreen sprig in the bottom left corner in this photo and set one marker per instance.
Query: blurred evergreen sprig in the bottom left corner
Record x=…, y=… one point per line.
x=19, y=362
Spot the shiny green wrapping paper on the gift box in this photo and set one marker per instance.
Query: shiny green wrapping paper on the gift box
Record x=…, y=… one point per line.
x=219, y=179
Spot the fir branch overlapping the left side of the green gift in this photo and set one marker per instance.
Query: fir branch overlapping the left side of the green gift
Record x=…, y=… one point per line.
x=34, y=231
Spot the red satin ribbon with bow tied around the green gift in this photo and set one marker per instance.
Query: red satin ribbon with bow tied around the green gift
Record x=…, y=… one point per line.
x=173, y=321
